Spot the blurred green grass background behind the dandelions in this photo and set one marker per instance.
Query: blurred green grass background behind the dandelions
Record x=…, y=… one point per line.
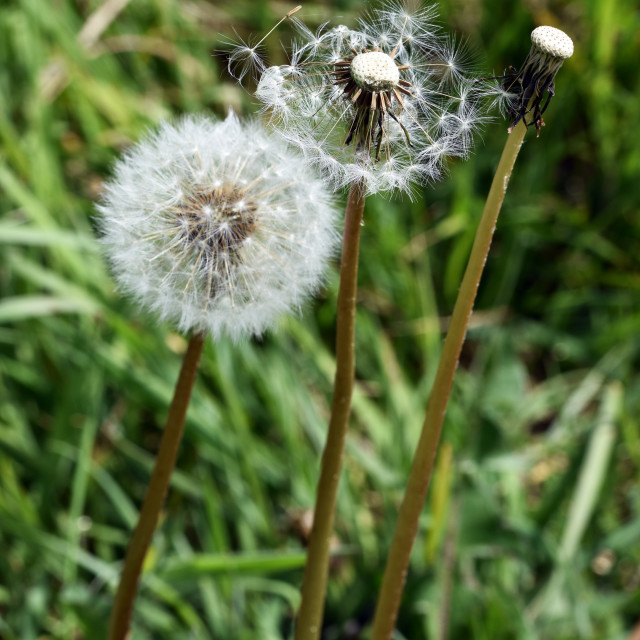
x=532, y=528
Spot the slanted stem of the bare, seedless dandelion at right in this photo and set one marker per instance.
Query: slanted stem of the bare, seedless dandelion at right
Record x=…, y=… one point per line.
x=420, y=475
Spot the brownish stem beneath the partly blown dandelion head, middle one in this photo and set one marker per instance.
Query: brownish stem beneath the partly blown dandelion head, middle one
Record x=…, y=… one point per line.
x=314, y=584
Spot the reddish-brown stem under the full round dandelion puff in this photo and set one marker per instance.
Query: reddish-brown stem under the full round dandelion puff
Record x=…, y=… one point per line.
x=156, y=492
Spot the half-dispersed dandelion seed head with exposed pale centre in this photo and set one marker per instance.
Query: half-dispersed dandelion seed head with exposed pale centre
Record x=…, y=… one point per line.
x=386, y=102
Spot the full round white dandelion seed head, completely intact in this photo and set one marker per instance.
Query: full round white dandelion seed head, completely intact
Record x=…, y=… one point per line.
x=217, y=226
